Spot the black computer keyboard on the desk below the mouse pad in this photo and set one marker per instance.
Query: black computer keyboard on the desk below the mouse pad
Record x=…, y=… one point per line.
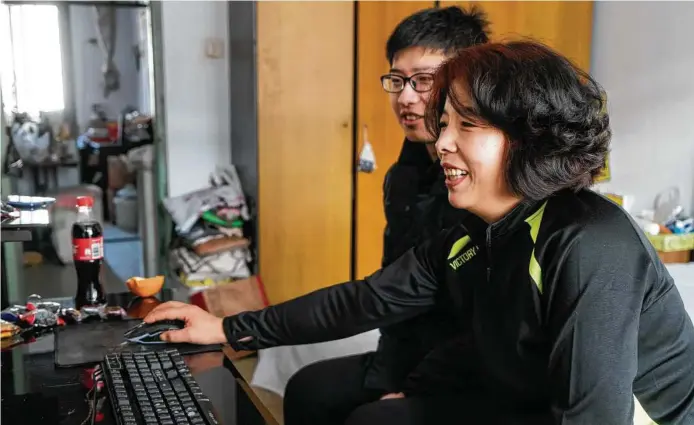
x=148, y=388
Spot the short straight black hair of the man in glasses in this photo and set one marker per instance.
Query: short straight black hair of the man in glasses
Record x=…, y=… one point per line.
x=446, y=29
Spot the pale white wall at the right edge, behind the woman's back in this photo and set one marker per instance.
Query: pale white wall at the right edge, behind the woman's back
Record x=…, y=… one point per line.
x=643, y=56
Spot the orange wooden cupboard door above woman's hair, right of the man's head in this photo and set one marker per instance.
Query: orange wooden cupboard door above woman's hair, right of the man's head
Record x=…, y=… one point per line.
x=566, y=26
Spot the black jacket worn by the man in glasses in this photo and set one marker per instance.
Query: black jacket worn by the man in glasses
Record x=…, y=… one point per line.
x=416, y=208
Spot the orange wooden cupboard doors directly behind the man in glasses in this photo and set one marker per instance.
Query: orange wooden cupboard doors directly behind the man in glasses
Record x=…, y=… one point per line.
x=563, y=25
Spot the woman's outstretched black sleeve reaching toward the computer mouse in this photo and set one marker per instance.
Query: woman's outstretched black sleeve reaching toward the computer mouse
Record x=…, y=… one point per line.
x=404, y=289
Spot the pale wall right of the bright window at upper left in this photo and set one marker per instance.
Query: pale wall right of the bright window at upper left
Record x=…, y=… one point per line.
x=88, y=60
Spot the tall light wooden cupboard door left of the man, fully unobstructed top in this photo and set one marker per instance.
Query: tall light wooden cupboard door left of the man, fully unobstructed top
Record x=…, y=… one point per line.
x=305, y=67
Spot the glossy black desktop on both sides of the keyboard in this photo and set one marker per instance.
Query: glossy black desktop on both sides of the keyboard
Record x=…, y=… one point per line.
x=29, y=371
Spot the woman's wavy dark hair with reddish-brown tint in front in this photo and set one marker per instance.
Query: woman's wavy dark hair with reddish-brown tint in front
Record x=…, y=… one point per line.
x=552, y=113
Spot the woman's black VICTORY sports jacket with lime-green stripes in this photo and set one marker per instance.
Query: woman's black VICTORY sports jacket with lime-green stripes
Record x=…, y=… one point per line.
x=567, y=309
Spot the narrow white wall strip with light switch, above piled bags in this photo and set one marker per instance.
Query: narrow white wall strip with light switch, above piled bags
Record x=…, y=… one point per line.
x=196, y=93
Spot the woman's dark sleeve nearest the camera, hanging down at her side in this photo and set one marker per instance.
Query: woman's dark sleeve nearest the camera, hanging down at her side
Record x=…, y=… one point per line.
x=593, y=306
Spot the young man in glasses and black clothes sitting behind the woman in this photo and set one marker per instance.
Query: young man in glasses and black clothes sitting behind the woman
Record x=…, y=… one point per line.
x=416, y=208
